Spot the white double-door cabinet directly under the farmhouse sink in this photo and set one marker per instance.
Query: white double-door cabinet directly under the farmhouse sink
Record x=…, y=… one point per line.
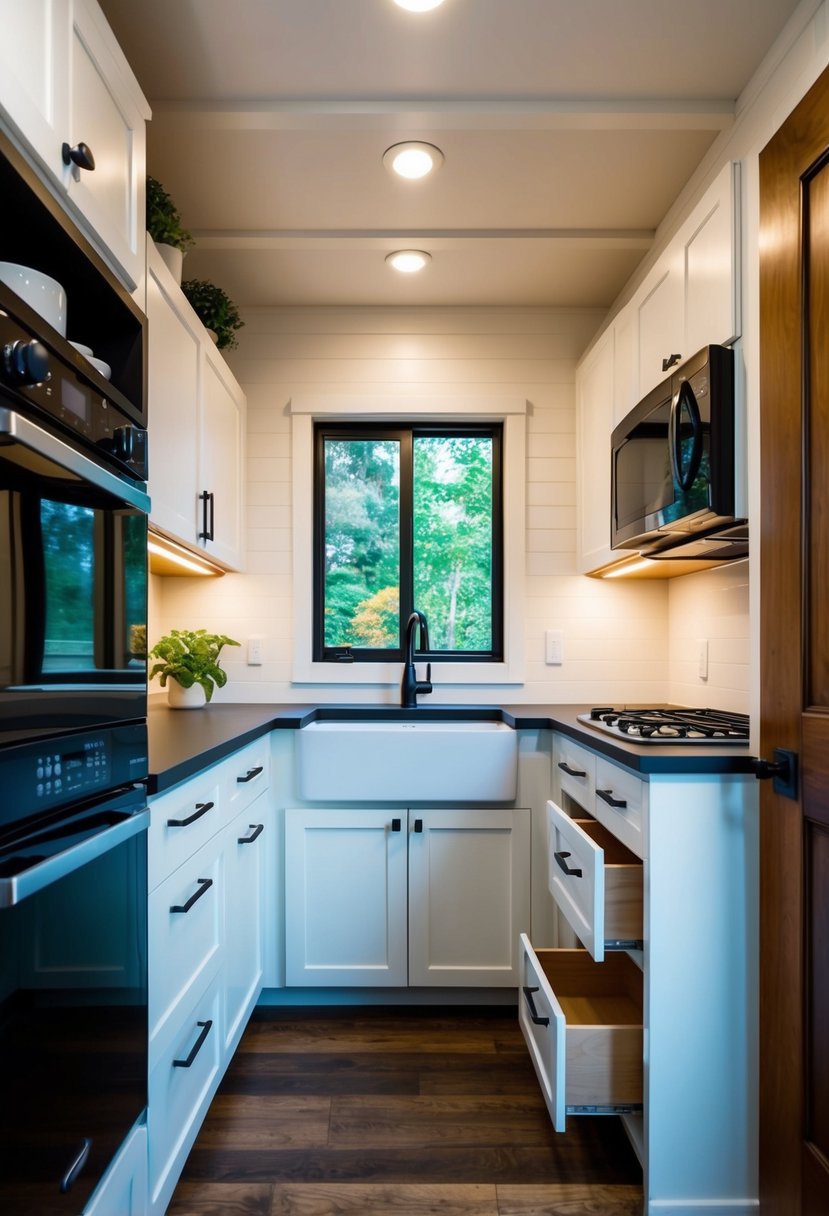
x=393, y=898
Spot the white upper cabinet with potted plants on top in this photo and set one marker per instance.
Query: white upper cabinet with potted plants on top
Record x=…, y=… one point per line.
x=196, y=424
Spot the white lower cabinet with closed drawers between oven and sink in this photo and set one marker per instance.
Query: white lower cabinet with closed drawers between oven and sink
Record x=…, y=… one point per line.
x=211, y=840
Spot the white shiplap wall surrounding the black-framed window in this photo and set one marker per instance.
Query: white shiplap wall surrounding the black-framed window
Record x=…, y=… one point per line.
x=616, y=633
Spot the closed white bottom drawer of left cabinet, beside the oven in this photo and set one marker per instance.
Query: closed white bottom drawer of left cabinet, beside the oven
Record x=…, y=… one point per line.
x=182, y=1084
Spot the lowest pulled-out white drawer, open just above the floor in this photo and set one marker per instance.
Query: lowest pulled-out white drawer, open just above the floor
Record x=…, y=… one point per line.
x=583, y=1024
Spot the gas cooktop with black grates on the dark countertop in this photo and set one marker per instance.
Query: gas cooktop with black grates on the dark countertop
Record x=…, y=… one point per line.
x=670, y=727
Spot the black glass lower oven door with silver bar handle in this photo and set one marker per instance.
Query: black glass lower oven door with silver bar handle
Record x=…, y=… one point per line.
x=74, y=1000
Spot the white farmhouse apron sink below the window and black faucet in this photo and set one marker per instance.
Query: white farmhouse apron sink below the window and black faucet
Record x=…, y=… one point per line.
x=470, y=762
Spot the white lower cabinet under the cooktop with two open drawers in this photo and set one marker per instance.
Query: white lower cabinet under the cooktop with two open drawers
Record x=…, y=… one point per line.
x=670, y=859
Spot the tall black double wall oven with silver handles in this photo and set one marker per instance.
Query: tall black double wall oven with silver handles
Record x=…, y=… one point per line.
x=74, y=769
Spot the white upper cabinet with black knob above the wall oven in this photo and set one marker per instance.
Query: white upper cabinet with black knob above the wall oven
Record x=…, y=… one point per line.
x=66, y=88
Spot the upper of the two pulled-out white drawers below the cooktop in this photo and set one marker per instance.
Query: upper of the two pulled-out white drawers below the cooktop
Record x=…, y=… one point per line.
x=597, y=883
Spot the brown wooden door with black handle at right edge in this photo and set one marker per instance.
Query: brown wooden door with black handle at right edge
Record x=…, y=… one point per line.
x=794, y=1010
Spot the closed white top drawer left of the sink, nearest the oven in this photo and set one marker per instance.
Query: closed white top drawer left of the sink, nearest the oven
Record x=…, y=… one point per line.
x=181, y=823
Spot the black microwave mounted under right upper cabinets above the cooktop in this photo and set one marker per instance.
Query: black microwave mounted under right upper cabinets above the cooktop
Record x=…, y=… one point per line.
x=674, y=466
